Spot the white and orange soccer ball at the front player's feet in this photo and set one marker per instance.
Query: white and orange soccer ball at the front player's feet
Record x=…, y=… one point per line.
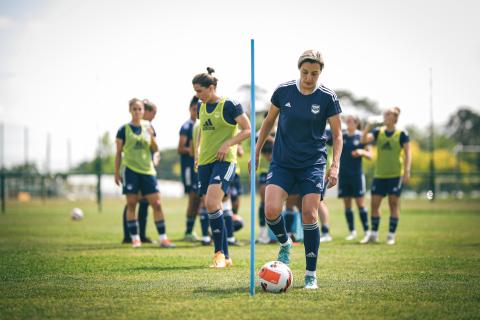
x=275, y=277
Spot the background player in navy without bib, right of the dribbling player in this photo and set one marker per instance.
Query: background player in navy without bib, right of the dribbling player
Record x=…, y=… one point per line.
x=351, y=180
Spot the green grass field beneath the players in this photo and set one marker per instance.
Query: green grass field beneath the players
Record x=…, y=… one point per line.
x=52, y=267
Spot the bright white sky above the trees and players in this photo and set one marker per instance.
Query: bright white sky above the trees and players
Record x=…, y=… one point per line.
x=70, y=67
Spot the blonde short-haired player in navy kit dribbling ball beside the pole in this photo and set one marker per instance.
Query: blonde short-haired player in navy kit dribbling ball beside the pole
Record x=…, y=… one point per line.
x=299, y=155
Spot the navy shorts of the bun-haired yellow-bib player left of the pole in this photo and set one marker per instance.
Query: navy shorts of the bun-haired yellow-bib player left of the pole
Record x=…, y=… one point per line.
x=214, y=173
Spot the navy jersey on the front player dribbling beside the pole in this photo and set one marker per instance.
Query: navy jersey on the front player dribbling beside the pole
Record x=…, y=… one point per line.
x=300, y=139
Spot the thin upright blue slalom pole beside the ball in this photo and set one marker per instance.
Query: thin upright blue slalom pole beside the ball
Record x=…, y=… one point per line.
x=252, y=172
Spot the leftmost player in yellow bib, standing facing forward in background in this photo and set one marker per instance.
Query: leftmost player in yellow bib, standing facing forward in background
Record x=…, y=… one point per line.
x=136, y=141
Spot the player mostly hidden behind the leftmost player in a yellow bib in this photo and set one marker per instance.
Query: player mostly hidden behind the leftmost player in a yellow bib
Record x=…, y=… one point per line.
x=149, y=115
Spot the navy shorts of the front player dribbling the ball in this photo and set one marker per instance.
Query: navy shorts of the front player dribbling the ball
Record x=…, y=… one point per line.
x=309, y=180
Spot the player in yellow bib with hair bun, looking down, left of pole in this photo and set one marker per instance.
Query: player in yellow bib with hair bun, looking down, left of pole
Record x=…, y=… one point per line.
x=217, y=155
